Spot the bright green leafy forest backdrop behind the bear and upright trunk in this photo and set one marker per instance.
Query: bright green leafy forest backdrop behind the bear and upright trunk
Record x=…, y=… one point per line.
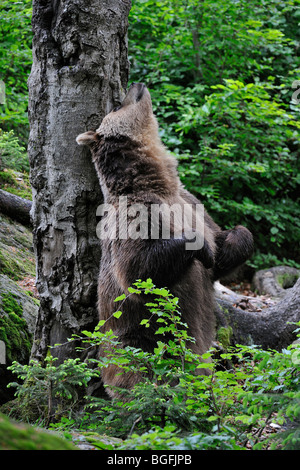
x=221, y=75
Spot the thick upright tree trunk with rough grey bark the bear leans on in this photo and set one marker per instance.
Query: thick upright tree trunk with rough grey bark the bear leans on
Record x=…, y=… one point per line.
x=79, y=72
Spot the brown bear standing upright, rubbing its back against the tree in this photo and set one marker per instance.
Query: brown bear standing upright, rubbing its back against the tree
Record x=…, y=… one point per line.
x=135, y=168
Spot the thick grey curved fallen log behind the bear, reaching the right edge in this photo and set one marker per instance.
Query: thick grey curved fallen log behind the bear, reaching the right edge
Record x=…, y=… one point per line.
x=268, y=323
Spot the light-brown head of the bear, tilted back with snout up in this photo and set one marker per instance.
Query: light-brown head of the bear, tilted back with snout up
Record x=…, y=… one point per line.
x=134, y=119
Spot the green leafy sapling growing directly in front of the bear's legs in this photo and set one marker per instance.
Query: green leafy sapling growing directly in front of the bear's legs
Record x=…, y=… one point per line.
x=160, y=397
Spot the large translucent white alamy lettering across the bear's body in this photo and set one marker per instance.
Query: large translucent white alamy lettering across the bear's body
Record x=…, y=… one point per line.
x=154, y=221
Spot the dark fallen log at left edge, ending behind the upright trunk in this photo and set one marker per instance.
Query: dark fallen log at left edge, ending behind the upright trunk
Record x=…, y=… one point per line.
x=15, y=207
